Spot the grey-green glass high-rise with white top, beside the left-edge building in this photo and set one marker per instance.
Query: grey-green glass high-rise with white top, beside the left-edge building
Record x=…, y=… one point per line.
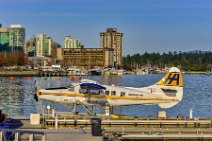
x=17, y=37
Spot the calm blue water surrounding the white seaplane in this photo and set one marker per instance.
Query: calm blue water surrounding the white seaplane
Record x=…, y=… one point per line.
x=16, y=96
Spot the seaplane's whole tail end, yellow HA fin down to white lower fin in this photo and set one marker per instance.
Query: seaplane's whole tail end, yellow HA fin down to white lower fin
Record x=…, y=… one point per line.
x=172, y=86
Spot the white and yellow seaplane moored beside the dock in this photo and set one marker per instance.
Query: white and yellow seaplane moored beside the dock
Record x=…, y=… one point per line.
x=166, y=93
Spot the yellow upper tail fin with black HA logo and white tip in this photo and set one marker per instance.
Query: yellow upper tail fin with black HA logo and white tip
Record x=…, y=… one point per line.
x=172, y=78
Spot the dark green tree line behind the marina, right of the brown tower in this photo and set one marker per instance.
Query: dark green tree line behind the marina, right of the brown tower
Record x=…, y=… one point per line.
x=185, y=61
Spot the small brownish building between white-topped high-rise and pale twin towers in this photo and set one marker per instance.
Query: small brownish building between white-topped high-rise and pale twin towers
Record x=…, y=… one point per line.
x=30, y=49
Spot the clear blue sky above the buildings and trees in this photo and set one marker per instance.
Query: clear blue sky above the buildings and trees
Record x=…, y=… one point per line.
x=148, y=25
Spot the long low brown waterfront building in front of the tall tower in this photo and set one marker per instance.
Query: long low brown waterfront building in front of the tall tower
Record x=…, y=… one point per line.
x=87, y=57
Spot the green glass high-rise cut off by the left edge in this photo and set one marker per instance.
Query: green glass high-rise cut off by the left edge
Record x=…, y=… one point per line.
x=4, y=39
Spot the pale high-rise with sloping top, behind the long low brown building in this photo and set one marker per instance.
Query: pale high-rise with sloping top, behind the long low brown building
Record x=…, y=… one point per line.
x=70, y=42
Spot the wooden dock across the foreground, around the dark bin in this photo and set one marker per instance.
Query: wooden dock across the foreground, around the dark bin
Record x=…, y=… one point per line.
x=113, y=128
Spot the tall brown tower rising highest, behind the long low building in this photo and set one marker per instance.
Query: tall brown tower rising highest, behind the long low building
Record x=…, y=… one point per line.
x=113, y=39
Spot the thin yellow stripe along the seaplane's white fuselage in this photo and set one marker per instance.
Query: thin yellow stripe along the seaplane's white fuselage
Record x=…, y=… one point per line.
x=104, y=96
